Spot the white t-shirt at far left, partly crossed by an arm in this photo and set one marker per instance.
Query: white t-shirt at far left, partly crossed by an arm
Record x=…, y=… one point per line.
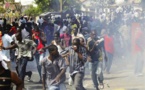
x=7, y=40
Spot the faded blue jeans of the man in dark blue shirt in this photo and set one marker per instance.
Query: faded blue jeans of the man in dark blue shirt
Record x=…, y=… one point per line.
x=94, y=67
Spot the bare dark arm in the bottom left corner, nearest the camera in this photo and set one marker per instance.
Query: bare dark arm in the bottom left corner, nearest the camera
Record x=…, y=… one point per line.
x=17, y=81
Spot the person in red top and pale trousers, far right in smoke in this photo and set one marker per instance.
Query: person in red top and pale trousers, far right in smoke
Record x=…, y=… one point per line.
x=139, y=51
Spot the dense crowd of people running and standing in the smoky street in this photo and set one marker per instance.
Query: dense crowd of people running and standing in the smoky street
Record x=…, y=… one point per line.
x=74, y=43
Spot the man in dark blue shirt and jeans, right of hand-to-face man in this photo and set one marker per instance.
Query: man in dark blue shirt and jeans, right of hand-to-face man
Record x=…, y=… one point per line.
x=94, y=52
